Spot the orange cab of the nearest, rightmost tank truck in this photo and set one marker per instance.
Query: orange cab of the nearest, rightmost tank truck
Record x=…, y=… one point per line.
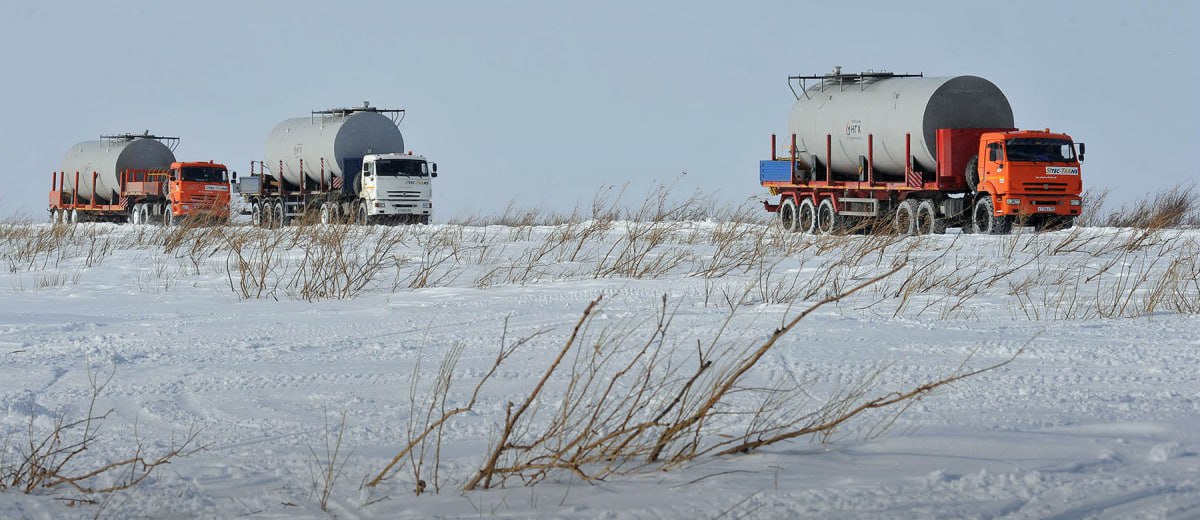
x=1028, y=175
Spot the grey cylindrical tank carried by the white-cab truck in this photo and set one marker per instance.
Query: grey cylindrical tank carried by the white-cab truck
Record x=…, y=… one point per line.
x=337, y=140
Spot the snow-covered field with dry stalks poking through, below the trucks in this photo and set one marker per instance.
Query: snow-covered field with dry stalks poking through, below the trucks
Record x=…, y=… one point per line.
x=262, y=342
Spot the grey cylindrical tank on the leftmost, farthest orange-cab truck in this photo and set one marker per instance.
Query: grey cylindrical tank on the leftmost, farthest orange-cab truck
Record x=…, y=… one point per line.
x=109, y=158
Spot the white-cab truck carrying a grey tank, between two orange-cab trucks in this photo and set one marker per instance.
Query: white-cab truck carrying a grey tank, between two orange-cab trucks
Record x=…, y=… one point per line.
x=340, y=165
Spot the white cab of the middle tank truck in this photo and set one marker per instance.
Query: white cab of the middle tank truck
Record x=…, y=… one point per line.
x=397, y=187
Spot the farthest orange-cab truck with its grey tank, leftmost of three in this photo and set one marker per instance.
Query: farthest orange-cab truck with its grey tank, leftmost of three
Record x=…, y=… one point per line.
x=136, y=178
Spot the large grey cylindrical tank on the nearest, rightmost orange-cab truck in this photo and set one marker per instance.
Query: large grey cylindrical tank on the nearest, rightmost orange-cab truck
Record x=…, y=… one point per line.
x=850, y=107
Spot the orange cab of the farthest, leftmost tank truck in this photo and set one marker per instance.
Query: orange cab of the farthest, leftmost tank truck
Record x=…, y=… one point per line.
x=199, y=188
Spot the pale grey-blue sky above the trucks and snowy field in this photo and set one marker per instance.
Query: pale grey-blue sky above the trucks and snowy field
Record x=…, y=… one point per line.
x=547, y=103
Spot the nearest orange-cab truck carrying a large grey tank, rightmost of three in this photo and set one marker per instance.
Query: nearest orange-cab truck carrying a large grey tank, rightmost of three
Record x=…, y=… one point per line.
x=921, y=154
